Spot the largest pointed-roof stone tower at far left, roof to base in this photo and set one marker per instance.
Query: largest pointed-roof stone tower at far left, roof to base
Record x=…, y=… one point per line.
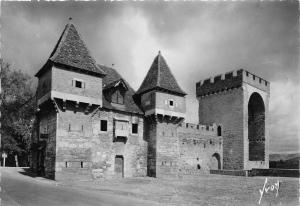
x=69, y=88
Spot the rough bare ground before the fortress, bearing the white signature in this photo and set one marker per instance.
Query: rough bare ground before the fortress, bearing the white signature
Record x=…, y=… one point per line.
x=202, y=190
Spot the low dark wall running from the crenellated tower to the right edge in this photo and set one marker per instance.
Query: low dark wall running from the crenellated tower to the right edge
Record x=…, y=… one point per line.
x=275, y=172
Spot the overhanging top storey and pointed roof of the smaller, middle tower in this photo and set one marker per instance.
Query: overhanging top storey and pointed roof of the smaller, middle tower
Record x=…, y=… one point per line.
x=160, y=93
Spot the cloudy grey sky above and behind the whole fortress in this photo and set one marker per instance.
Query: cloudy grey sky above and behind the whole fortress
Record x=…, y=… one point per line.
x=198, y=40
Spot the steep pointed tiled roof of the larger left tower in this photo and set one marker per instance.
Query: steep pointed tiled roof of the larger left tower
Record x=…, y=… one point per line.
x=71, y=51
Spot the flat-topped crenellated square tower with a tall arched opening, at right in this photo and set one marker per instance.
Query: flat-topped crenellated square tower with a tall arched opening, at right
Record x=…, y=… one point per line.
x=238, y=103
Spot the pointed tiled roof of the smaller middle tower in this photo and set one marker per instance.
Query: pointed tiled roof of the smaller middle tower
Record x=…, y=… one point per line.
x=160, y=77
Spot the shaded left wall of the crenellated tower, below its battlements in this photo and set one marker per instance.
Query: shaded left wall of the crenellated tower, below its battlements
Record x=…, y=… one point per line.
x=226, y=109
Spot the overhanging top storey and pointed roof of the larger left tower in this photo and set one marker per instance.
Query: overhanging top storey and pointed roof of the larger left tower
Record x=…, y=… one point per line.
x=71, y=73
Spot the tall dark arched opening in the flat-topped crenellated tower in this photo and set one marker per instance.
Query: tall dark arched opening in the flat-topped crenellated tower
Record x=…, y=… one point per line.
x=256, y=128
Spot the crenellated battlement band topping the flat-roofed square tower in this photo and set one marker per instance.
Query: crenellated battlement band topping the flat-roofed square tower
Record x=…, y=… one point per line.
x=230, y=80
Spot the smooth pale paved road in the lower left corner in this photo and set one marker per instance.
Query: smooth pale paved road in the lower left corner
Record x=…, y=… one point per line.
x=18, y=189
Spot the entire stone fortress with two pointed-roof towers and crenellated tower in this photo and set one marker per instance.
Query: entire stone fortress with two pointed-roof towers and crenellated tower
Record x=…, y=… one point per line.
x=92, y=124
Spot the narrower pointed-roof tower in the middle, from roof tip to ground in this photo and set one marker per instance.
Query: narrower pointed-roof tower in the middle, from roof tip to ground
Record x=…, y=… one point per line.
x=163, y=102
